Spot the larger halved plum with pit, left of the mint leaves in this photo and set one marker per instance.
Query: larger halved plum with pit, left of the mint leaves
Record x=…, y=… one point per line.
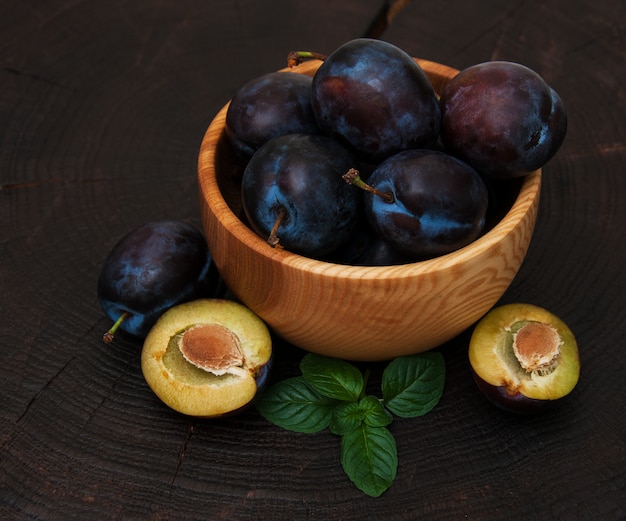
x=207, y=358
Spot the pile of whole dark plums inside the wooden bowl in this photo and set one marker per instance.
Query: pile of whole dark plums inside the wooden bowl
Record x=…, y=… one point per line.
x=364, y=164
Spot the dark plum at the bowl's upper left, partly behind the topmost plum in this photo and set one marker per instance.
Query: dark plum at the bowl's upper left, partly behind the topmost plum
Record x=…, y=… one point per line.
x=271, y=105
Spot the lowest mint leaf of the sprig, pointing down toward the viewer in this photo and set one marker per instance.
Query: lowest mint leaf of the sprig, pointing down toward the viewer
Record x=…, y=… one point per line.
x=370, y=459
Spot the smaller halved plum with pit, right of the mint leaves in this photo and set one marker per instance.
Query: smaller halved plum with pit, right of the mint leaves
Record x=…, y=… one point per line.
x=523, y=357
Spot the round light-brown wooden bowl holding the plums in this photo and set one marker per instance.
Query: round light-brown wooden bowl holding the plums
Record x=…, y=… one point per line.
x=360, y=313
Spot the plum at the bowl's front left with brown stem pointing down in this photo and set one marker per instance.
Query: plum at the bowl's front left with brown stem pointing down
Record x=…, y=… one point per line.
x=293, y=194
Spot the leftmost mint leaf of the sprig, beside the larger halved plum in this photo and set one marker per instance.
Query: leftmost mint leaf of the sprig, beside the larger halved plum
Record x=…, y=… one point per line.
x=293, y=405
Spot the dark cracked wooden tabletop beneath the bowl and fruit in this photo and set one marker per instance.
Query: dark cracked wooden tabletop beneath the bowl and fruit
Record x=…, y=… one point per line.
x=103, y=105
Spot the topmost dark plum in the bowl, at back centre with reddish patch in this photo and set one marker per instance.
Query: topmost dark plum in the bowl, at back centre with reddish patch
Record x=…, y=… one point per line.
x=373, y=95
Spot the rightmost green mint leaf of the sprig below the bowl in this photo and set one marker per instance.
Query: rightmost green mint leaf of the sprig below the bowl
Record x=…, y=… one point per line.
x=412, y=385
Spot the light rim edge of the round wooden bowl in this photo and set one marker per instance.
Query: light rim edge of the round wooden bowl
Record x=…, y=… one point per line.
x=209, y=190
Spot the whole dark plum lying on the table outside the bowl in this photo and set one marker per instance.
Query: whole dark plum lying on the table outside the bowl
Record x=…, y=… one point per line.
x=151, y=269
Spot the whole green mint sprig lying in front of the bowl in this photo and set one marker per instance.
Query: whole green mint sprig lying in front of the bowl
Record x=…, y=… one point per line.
x=331, y=393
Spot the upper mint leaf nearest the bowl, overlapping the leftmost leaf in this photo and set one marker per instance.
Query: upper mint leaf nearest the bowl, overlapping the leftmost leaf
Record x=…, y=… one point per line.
x=332, y=377
